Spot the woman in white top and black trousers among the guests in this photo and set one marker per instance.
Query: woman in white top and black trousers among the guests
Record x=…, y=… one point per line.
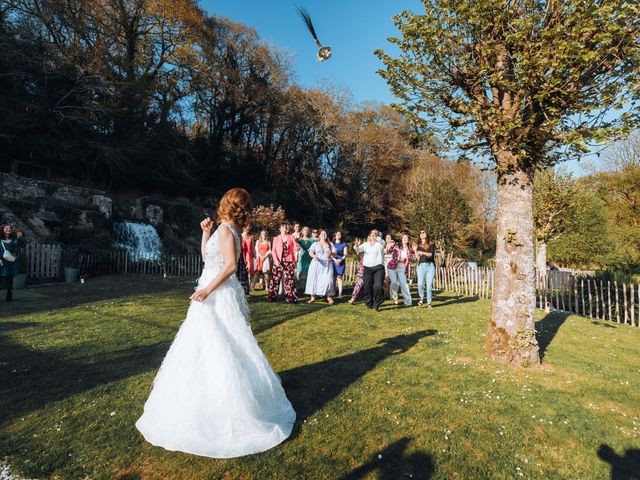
x=373, y=262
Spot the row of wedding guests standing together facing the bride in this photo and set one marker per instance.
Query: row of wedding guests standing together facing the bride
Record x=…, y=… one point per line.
x=306, y=260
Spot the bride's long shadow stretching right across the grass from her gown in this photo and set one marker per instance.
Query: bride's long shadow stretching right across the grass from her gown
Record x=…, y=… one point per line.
x=310, y=387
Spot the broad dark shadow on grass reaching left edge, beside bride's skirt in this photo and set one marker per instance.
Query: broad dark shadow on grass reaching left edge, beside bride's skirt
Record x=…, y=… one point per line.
x=30, y=379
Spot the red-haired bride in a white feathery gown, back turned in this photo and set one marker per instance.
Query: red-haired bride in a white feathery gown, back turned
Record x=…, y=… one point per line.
x=215, y=394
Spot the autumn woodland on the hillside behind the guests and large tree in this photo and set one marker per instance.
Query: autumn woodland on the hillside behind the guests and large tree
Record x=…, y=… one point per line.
x=163, y=98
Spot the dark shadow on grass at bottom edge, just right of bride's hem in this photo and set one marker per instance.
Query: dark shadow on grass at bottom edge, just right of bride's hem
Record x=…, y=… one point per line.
x=393, y=463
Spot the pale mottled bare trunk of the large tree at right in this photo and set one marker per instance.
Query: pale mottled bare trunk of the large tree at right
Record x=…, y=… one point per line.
x=511, y=331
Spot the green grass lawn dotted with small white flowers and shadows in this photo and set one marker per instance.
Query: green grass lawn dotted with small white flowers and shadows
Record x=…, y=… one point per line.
x=398, y=394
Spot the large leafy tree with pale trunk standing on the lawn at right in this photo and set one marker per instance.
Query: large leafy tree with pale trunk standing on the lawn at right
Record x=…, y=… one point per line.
x=516, y=79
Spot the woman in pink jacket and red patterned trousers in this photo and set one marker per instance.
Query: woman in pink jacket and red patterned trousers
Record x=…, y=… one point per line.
x=284, y=265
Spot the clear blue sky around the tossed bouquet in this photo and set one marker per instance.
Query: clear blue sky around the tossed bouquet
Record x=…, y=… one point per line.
x=353, y=28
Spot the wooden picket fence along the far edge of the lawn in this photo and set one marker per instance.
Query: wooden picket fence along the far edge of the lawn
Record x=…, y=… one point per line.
x=572, y=292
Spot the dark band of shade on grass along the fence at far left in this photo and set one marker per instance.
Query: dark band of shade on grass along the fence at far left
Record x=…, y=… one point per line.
x=67, y=295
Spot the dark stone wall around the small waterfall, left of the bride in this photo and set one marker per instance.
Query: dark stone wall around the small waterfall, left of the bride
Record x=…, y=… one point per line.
x=56, y=212
